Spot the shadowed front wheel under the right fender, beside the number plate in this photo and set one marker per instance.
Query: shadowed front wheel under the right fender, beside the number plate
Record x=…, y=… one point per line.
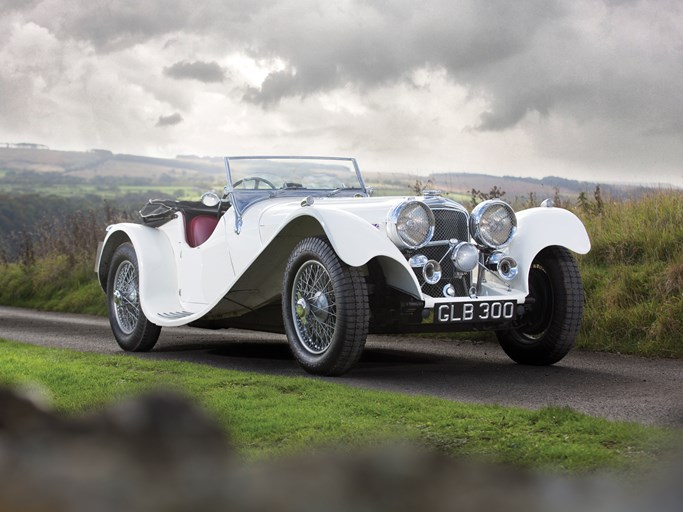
x=546, y=333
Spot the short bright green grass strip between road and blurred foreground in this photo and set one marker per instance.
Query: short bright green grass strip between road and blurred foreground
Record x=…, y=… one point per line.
x=267, y=415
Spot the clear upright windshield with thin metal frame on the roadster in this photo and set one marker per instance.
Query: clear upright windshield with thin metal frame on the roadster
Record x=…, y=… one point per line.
x=293, y=173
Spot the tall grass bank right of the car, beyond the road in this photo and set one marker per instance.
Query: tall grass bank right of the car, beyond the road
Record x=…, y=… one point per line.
x=633, y=277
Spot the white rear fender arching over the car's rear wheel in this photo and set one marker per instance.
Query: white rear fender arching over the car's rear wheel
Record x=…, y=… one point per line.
x=156, y=265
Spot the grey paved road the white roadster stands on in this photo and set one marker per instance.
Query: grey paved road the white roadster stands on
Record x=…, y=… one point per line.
x=648, y=391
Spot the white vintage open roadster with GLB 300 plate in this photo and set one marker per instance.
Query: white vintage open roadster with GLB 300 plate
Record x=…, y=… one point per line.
x=297, y=245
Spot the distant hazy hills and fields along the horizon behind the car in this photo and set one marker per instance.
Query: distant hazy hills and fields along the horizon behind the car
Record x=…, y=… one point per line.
x=97, y=170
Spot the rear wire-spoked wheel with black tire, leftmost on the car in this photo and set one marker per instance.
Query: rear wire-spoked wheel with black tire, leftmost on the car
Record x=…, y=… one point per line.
x=132, y=330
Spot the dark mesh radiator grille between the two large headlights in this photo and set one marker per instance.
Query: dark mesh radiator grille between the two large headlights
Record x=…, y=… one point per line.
x=450, y=223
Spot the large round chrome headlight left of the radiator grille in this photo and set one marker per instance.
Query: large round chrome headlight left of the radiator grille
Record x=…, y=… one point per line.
x=411, y=224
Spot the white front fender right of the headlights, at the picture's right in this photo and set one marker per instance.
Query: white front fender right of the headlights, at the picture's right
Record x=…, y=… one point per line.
x=538, y=228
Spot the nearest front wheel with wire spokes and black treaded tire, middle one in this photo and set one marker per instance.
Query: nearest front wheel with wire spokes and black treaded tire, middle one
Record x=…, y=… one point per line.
x=325, y=309
